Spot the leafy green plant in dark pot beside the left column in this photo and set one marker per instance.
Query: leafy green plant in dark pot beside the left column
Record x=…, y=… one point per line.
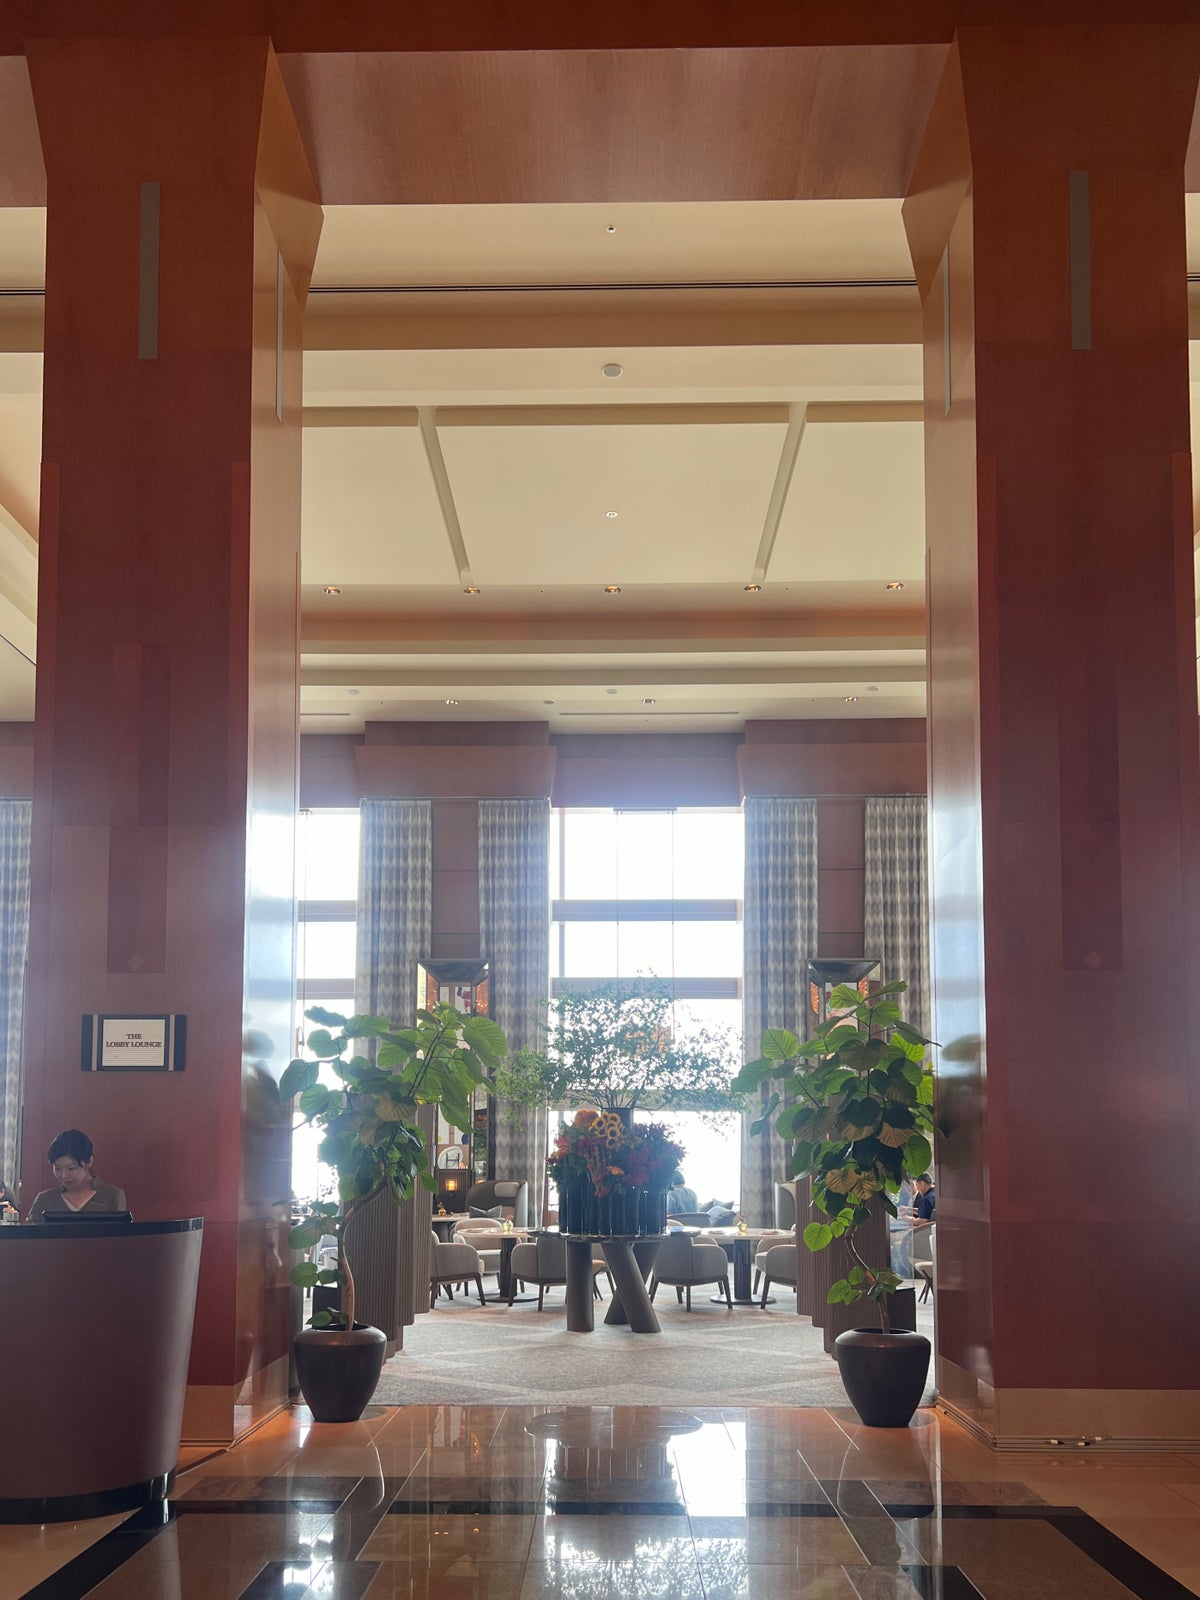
x=370, y=1138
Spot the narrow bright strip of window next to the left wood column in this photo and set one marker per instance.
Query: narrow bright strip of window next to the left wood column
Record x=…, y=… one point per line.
x=327, y=887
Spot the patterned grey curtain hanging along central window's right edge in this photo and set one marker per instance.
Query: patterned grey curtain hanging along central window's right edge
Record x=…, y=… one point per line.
x=780, y=942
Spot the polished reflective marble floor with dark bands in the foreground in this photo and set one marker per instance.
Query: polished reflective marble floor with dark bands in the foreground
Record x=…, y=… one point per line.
x=596, y=1503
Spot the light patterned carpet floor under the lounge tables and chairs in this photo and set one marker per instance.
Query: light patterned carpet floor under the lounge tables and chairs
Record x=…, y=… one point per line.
x=465, y=1353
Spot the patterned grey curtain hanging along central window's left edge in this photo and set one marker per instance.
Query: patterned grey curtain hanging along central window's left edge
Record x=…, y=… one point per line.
x=514, y=903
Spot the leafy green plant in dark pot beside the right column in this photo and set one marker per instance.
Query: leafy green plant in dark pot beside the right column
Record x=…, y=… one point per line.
x=857, y=1105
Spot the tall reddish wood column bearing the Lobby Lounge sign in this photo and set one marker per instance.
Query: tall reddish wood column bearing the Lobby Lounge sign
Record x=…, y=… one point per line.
x=182, y=230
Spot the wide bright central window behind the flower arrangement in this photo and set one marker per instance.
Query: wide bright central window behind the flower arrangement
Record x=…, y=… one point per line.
x=641, y=894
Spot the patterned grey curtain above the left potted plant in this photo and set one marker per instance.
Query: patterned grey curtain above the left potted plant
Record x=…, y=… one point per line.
x=396, y=898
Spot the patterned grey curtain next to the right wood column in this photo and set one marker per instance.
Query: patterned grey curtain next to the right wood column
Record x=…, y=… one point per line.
x=897, y=906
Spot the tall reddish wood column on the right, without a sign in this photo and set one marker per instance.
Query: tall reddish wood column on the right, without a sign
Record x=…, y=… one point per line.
x=1047, y=223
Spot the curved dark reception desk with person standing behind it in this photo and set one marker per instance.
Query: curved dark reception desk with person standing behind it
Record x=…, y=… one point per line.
x=95, y=1338
